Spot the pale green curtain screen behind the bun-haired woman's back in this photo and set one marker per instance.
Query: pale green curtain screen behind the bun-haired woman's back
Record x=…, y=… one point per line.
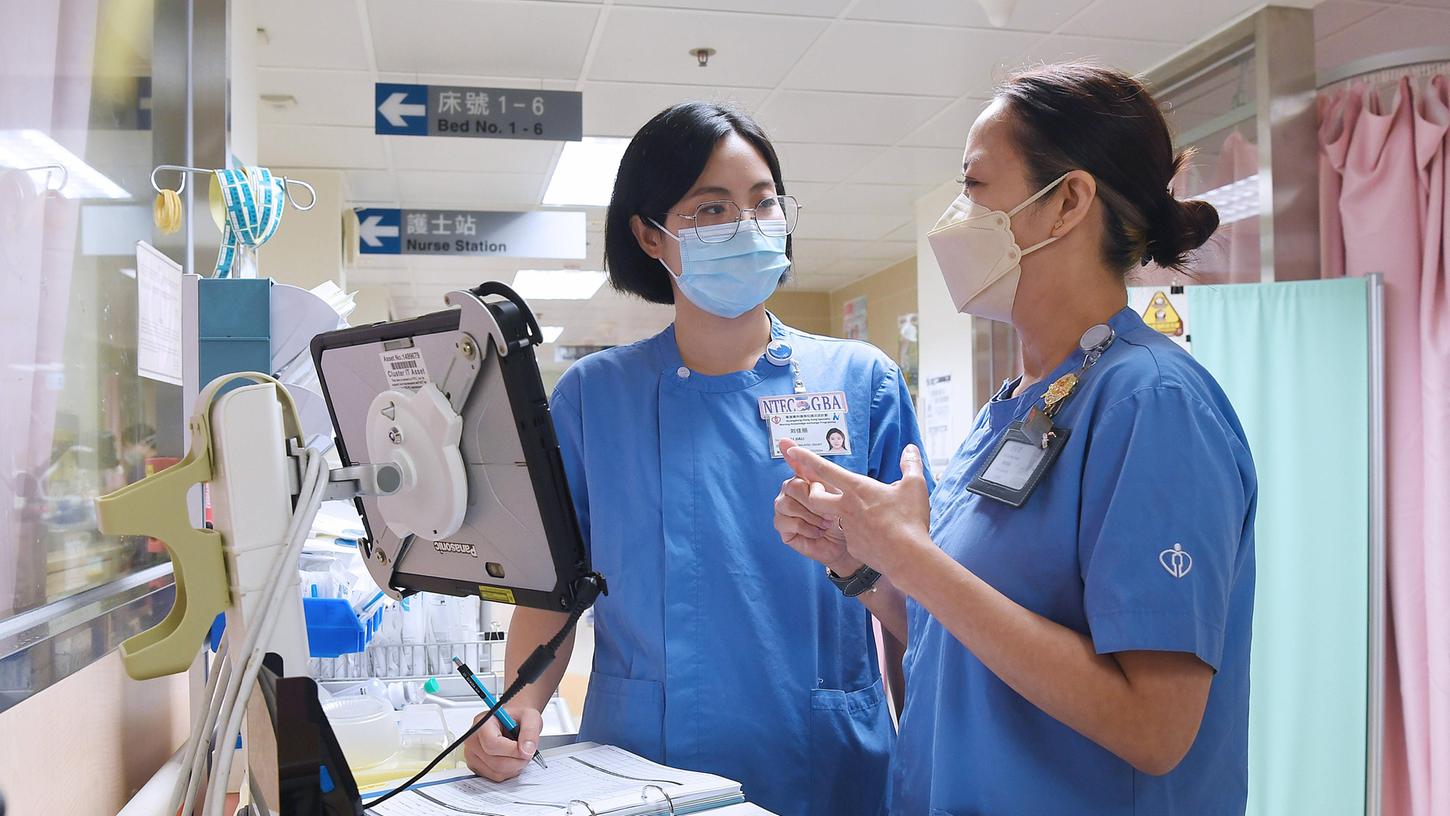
x=1294, y=359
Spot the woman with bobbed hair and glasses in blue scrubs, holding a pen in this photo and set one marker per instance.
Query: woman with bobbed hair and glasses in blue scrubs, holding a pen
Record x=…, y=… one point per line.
x=717, y=649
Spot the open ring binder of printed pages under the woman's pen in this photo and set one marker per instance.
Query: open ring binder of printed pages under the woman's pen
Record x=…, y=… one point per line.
x=581, y=780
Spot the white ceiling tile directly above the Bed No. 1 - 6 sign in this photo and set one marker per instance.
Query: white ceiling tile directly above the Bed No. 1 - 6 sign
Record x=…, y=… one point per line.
x=482, y=37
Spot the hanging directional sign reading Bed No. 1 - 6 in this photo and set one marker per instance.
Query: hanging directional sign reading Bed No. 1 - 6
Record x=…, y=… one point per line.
x=478, y=114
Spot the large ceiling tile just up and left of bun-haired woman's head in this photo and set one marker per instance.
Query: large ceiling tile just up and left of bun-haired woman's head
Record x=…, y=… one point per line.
x=907, y=59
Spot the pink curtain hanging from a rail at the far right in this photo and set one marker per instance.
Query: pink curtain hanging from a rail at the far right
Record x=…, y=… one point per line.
x=1384, y=192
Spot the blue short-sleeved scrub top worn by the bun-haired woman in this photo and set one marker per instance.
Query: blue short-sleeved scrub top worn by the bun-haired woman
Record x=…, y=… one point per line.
x=1139, y=537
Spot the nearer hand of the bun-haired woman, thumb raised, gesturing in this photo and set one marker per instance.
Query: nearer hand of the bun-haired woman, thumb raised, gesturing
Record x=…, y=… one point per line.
x=887, y=525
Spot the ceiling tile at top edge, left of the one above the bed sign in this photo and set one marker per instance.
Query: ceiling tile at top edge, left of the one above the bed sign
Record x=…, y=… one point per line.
x=292, y=40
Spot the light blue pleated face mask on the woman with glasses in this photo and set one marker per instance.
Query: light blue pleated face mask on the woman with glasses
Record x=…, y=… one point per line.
x=733, y=278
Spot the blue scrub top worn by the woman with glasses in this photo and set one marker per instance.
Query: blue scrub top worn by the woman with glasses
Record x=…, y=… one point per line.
x=718, y=647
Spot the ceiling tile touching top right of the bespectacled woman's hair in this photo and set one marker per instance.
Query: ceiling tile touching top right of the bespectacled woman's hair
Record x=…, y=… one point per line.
x=845, y=118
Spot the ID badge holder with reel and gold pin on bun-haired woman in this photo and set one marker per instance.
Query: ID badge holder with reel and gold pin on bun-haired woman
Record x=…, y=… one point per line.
x=1032, y=444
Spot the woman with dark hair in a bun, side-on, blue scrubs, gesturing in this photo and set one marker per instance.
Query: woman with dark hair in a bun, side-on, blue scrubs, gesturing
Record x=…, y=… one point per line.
x=1081, y=583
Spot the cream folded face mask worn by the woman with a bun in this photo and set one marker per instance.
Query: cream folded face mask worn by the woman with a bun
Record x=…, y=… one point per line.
x=979, y=256
